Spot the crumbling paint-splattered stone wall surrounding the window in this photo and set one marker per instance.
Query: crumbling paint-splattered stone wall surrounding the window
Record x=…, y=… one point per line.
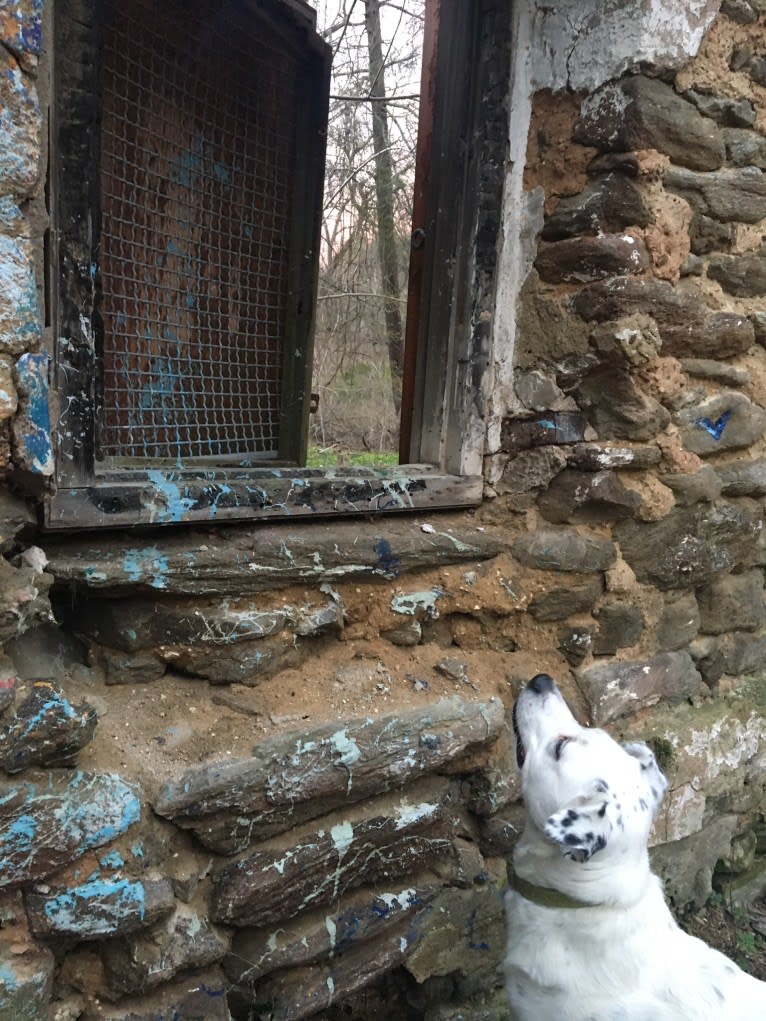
x=265, y=772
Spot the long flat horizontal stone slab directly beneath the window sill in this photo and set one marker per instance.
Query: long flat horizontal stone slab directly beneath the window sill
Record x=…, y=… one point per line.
x=255, y=560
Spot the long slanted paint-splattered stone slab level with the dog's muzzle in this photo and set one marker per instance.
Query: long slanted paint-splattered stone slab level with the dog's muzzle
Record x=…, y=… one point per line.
x=296, y=777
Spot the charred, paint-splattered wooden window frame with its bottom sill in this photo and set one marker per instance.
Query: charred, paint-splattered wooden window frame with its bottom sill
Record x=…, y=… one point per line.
x=444, y=431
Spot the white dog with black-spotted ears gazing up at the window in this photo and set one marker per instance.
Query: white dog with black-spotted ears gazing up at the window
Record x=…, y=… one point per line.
x=591, y=938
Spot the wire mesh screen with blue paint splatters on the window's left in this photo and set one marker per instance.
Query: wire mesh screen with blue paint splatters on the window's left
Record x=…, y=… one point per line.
x=198, y=155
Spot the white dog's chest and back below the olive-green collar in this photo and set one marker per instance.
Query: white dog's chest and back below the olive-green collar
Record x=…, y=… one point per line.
x=605, y=964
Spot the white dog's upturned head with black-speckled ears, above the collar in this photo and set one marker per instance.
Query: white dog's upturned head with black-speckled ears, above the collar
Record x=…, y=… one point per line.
x=583, y=790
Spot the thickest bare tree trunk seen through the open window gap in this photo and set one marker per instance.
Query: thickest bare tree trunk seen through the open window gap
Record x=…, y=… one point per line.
x=385, y=201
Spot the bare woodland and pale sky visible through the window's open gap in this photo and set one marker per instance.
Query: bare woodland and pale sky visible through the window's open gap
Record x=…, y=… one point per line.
x=368, y=209
